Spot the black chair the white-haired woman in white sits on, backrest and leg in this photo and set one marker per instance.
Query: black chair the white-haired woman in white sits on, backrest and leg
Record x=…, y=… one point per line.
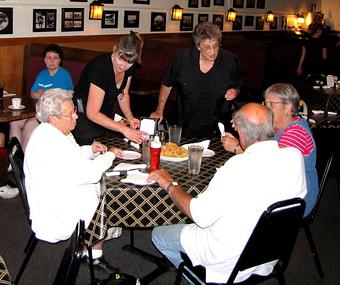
x=16, y=158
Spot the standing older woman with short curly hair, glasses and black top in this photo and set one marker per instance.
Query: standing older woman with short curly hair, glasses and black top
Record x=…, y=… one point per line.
x=206, y=77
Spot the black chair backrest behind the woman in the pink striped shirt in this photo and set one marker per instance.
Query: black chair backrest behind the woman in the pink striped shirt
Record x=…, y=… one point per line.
x=323, y=170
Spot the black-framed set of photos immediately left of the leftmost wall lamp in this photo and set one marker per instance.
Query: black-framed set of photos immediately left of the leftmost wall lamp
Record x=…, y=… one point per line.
x=72, y=19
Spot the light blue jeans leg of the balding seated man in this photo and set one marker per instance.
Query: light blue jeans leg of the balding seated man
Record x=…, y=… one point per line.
x=167, y=240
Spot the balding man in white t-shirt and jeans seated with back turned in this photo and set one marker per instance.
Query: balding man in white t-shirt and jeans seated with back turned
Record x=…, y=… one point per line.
x=226, y=213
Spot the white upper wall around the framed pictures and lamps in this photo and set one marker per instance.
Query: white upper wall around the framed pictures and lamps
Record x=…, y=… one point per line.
x=23, y=14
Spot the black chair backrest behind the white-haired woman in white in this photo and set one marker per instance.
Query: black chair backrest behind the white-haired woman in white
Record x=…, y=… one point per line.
x=16, y=158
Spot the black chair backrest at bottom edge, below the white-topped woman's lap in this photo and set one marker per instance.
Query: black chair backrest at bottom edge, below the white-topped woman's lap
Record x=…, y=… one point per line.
x=70, y=263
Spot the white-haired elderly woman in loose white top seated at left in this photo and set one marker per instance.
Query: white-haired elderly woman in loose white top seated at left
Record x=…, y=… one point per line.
x=62, y=178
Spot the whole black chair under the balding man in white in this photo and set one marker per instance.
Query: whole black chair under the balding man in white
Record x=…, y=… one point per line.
x=273, y=238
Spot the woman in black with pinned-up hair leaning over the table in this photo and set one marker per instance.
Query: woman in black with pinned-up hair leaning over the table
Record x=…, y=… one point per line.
x=104, y=80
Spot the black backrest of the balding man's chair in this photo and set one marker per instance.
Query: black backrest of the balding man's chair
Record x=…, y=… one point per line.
x=273, y=237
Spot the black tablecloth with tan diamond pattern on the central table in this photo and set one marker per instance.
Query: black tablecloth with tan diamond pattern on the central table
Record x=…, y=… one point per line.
x=132, y=206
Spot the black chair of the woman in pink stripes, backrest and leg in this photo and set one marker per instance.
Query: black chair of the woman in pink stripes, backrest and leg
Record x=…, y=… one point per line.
x=310, y=218
